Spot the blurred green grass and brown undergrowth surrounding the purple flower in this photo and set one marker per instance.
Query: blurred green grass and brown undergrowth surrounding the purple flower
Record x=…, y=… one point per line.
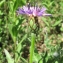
x=19, y=42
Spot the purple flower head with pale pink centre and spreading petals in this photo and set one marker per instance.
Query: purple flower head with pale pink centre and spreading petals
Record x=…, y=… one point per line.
x=33, y=11
